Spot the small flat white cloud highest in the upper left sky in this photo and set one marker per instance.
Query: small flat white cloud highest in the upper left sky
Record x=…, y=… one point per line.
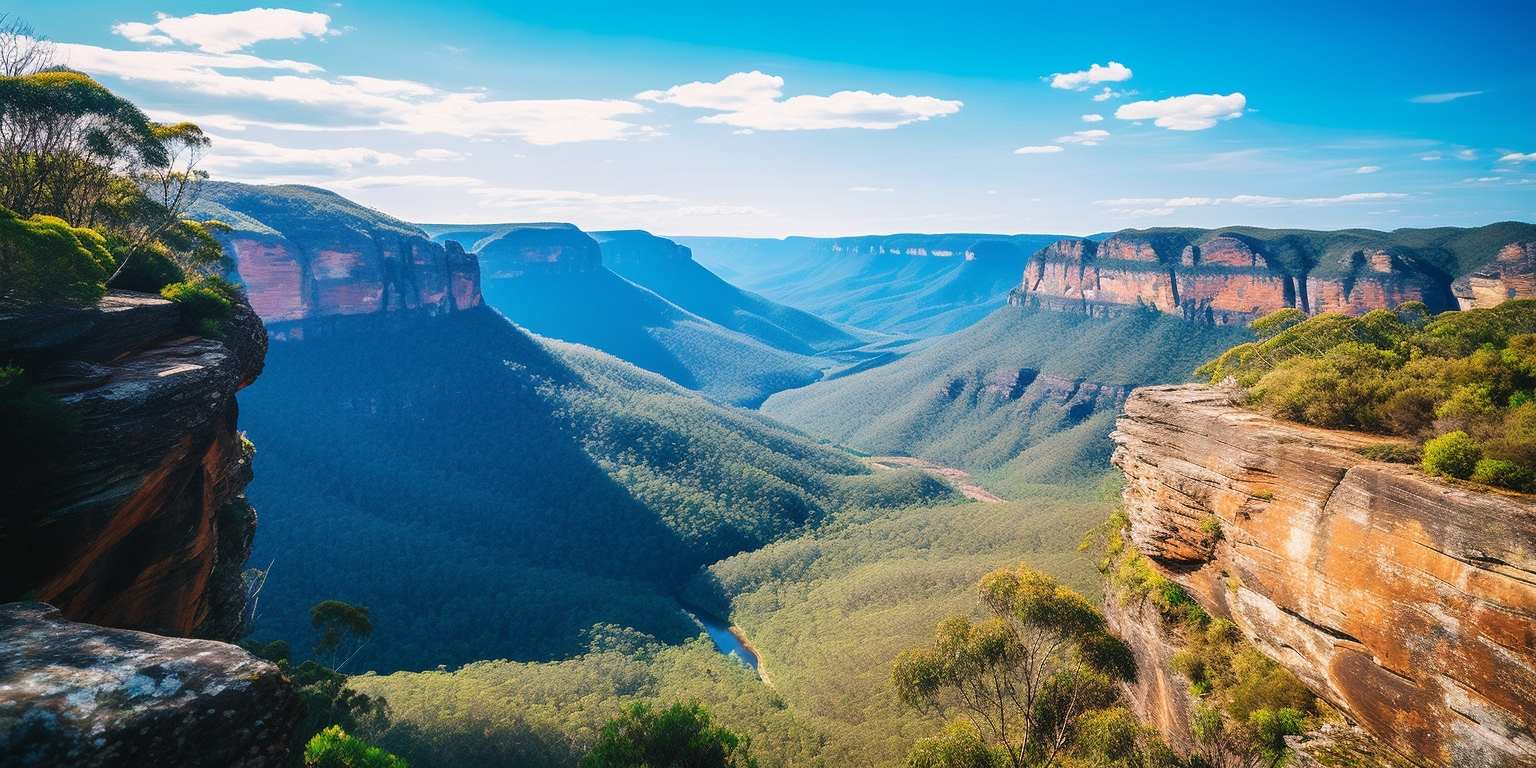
x=227, y=33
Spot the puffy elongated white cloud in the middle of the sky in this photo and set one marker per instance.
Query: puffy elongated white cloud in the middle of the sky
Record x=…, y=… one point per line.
x=753, y=102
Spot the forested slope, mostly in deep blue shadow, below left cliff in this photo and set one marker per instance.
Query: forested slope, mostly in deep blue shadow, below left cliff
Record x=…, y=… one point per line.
x=489, y=495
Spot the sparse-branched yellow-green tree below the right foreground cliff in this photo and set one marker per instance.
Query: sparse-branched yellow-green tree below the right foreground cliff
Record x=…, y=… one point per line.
x=1027, y=675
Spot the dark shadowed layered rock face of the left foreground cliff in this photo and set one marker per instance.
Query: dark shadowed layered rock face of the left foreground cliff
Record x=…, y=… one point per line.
x=145, y=525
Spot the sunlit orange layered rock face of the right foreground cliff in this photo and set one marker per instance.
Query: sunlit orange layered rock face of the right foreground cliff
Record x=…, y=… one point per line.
x=1405, y=601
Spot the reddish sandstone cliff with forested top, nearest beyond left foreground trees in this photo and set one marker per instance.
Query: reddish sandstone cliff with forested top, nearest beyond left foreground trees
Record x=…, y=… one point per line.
x=306, y=254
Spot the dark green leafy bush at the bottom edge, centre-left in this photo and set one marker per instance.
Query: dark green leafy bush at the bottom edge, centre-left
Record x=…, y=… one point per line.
x=678, y=737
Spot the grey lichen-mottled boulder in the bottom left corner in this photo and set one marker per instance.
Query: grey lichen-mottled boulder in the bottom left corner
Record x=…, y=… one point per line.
x=88, y=697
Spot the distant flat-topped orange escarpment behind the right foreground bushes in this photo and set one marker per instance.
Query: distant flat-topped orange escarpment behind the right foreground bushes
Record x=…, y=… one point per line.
x=1234, y=276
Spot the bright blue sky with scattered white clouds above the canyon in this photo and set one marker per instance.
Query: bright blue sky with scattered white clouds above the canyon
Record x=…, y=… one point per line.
x=706, y=119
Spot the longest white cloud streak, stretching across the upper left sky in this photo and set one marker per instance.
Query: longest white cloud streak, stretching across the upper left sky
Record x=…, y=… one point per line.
x=363, y=104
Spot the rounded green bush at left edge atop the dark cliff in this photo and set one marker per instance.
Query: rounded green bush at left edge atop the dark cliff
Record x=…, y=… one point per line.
x=44, y=260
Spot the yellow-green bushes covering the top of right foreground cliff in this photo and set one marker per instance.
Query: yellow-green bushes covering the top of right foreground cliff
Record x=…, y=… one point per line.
x=1463, y=382
